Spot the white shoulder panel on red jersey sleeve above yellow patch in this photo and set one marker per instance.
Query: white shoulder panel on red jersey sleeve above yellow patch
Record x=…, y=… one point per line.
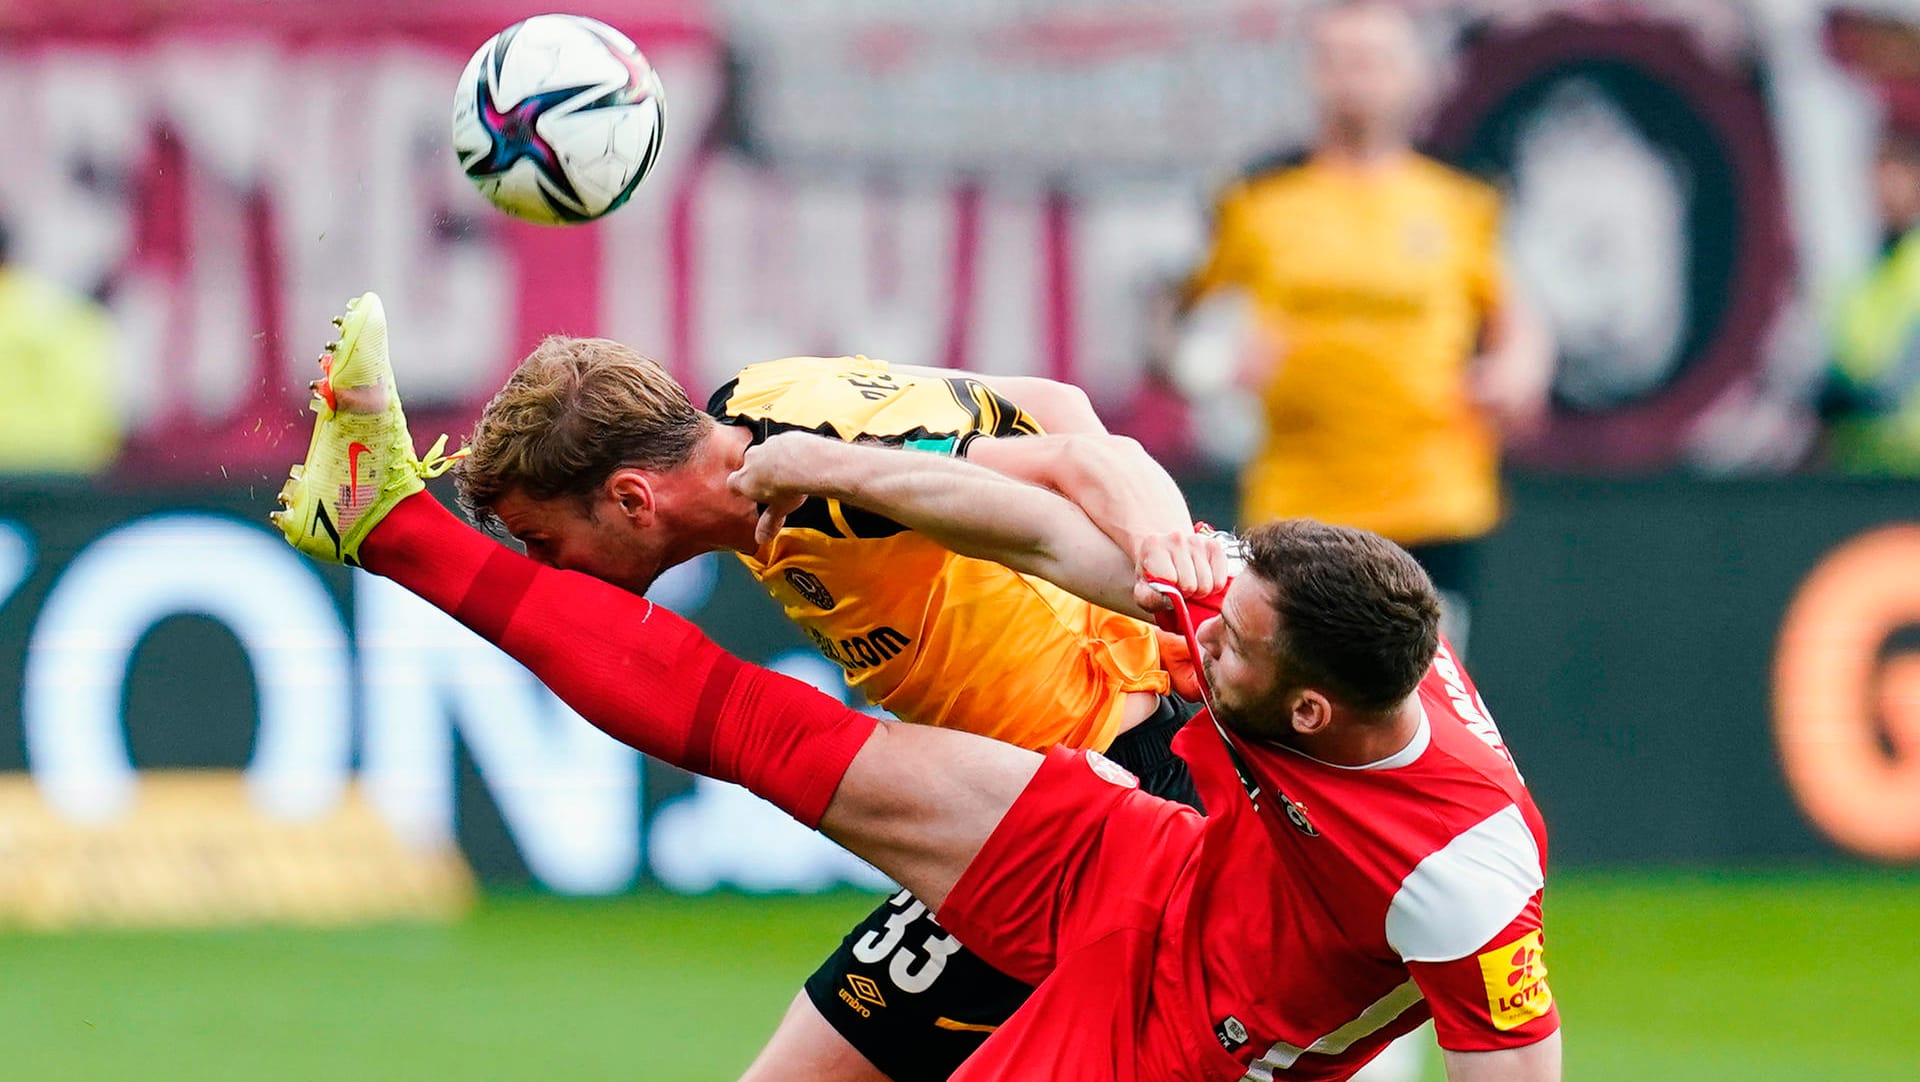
x=1468, y=891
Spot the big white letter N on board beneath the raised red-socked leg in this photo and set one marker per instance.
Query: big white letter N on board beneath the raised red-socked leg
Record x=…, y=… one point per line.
x=567, y=791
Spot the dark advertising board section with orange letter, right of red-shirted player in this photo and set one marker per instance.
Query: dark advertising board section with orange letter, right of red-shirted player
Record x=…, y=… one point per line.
x=1712, y=672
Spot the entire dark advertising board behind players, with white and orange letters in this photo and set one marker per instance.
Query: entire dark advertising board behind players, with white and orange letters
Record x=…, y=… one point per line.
x=201, y=726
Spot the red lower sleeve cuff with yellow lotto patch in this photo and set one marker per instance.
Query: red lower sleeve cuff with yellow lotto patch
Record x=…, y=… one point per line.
x=1497, y=997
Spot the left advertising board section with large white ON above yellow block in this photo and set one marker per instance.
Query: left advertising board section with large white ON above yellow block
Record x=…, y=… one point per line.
x=201, y=726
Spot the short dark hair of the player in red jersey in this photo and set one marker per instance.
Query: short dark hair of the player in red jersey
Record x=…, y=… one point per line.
x=1358, y=617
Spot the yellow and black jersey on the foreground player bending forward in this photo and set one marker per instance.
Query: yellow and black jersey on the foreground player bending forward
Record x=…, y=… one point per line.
x=934, y=638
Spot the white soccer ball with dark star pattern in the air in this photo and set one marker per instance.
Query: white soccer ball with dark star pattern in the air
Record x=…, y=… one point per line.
x=558, y=120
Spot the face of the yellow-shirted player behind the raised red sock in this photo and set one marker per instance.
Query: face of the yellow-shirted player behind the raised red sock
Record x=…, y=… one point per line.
x=585, y=538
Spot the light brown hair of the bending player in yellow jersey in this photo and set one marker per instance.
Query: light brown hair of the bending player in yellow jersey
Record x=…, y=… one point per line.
x=571, y=415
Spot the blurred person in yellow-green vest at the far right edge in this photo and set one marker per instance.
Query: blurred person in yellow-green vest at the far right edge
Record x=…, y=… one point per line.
x=1873, y=392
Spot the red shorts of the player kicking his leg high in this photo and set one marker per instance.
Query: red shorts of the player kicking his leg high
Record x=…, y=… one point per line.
x=1082, y=891
